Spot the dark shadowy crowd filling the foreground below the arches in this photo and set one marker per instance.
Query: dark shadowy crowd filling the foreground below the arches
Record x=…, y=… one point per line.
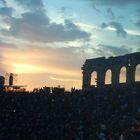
x=95, y=115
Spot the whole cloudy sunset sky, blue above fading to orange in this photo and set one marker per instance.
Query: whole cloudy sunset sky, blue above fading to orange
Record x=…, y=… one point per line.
x=46, y=42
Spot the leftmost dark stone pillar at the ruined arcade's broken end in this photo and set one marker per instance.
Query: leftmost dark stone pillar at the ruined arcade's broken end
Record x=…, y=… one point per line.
x=86, y=79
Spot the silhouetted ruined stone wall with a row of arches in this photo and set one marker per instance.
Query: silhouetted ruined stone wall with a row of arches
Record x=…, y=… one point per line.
x=102, y=64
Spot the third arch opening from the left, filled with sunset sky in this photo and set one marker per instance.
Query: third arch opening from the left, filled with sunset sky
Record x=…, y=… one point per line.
x=122, y=78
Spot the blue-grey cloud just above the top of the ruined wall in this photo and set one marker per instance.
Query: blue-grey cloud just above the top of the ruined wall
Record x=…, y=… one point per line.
x=109, y=50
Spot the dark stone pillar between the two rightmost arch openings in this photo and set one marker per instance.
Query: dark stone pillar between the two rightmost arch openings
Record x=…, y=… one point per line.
x=130, y=74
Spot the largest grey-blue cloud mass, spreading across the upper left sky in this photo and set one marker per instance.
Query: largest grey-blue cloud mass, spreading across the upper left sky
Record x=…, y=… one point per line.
x=35, y=25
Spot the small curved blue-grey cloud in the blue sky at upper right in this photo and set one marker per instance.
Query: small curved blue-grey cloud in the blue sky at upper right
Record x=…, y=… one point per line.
x=117, y=26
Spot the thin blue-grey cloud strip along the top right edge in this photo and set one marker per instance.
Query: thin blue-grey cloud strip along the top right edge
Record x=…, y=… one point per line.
x=115, y=2
